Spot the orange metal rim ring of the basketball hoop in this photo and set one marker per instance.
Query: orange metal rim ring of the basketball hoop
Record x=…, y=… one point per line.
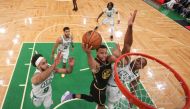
x=132, y=98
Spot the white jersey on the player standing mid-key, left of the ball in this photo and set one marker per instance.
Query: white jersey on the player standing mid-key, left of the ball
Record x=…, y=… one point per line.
x=66, y=42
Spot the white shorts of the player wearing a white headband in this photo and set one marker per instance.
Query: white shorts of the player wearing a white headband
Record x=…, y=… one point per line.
x=46, y=100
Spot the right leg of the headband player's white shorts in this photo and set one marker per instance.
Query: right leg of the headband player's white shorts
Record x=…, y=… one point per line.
x=48, y=101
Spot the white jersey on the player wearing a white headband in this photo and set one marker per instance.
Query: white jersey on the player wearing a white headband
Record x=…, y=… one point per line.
x=44, y=87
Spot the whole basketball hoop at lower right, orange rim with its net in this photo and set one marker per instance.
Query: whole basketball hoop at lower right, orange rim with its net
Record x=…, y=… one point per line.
x=165, y=94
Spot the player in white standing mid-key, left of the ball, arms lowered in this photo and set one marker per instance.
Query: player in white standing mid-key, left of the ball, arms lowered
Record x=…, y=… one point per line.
x=62, y=45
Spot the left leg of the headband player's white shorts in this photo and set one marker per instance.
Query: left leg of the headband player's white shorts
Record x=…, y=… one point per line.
x=37, y=101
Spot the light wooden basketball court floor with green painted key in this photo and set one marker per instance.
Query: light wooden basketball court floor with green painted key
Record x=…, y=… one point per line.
x=26, y=27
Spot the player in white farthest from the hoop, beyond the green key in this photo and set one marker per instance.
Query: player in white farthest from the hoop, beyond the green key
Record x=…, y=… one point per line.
x=110, y=11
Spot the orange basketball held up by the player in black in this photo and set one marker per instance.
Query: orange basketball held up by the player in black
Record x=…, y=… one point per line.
x=92, y=38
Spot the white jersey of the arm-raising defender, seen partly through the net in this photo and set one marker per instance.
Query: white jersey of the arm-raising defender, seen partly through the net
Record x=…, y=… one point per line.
x=125, y=73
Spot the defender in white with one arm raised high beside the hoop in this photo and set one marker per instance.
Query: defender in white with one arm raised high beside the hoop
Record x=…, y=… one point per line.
x=128, y=70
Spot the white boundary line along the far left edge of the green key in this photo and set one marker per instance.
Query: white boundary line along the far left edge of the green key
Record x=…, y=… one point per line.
x=2, y=104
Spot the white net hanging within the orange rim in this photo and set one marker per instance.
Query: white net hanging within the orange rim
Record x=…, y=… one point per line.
x=151, y=83
